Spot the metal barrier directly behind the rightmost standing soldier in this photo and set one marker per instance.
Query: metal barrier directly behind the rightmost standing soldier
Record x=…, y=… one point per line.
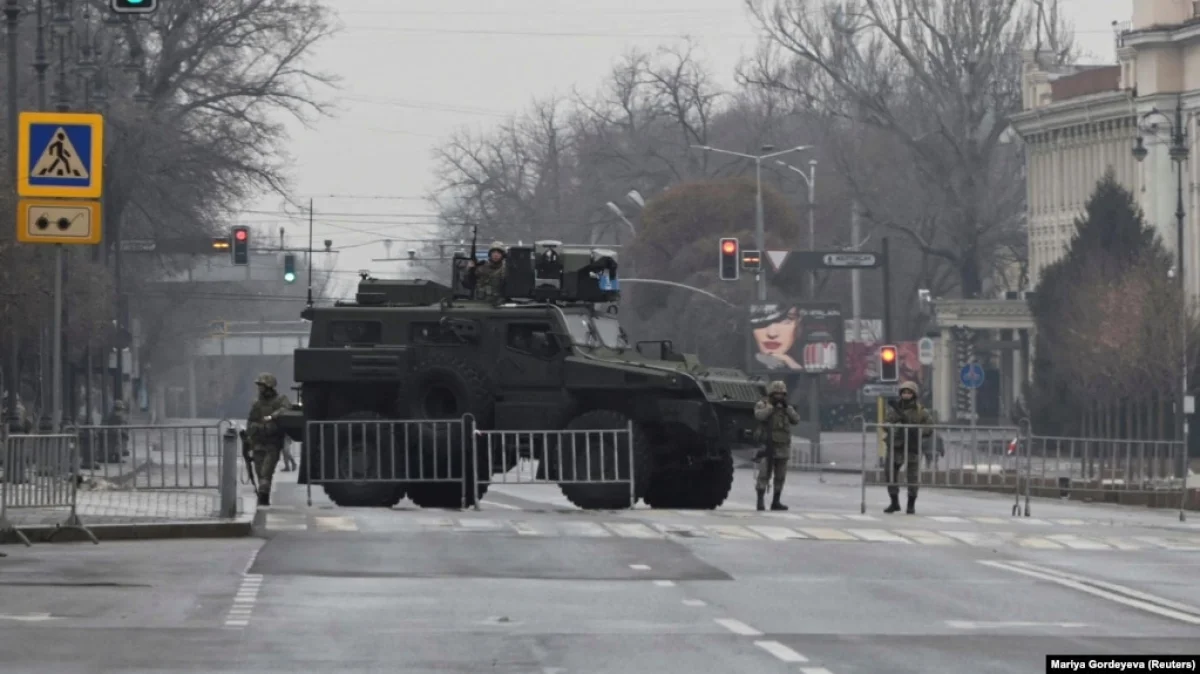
x=989, y=459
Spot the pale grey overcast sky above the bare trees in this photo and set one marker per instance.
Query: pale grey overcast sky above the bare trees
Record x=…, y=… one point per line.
x=415, y=71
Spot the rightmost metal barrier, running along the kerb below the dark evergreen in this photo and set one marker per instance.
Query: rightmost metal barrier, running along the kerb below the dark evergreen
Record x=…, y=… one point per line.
x=1150, y=473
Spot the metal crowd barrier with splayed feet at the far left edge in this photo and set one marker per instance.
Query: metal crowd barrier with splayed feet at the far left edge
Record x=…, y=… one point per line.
x=41, y=473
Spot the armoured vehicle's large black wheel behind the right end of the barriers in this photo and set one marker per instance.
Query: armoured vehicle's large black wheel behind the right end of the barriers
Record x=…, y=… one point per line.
x=616, y=464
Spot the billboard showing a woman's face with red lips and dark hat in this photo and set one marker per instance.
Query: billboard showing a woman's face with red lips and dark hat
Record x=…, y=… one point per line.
x=801, y=338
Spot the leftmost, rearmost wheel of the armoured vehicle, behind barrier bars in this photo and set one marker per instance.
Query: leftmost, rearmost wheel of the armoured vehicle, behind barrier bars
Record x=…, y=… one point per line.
x=358, y=458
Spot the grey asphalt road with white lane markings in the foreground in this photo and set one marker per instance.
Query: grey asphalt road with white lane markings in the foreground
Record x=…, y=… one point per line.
x=530, y=586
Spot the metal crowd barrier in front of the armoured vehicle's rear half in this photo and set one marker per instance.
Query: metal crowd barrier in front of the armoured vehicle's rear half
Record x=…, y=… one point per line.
x=389, y=452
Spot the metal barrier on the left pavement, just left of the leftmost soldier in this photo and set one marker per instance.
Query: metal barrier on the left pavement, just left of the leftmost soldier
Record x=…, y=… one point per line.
x=154, y=458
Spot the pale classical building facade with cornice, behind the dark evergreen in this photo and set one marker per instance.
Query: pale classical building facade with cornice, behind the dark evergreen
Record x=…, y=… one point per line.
x=1081, y=122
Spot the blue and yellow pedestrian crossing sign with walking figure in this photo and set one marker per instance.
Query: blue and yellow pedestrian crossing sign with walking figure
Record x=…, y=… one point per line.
x=62, y=155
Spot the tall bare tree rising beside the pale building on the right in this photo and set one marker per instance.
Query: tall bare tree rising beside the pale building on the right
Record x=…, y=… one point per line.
x=939, y=77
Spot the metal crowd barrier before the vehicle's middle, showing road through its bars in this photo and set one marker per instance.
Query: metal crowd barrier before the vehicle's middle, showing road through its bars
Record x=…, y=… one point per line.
x=567, y=459
